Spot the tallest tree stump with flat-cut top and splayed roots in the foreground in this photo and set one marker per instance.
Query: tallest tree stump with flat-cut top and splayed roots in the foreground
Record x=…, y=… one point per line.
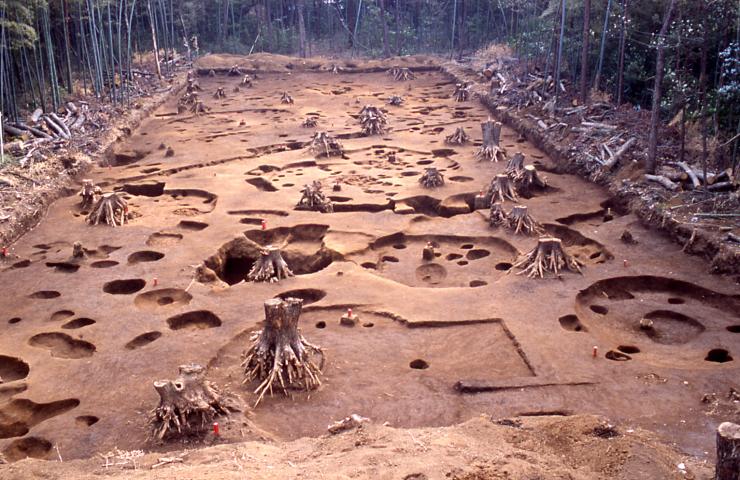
x=279, y=355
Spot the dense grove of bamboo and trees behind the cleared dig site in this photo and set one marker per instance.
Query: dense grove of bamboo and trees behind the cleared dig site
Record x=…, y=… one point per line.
x=53, y=48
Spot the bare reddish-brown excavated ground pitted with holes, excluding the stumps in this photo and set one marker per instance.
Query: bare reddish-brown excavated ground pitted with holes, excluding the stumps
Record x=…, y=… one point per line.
x=81, y=345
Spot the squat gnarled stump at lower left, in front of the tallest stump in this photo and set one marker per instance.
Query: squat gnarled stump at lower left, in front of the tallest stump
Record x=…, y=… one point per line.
x=187, y=405
